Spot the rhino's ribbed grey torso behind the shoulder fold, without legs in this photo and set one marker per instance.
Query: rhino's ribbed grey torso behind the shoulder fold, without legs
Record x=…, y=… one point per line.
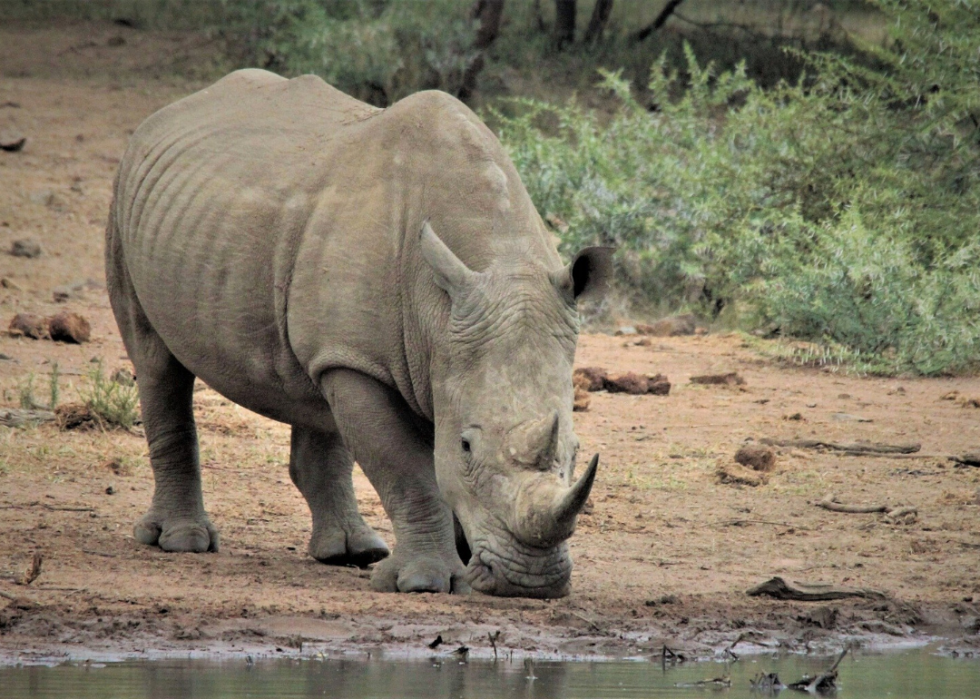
x=213, y=195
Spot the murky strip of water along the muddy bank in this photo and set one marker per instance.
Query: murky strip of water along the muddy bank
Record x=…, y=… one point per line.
x=898, y=676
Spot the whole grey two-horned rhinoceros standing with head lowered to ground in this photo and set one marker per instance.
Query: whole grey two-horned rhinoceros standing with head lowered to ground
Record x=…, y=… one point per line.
x=379, y=280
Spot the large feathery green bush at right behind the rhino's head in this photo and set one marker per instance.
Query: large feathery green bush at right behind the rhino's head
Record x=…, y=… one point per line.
x=844, y=208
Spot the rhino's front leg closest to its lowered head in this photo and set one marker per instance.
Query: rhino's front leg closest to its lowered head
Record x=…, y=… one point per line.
x=381, y=432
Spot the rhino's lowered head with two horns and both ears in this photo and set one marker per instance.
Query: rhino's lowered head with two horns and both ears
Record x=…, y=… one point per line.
x=505, y=447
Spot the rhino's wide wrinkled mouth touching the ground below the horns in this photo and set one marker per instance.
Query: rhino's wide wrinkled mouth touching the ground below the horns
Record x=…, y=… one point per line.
x=510, y=568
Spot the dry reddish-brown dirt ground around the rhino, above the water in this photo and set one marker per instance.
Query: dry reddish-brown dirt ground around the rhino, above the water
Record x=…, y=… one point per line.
x=664, y=556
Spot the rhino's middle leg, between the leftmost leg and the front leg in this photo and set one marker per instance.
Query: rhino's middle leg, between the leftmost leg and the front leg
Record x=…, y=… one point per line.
x=320, y=466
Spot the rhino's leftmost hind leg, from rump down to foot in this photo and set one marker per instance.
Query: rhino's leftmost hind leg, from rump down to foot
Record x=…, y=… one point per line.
x=176, y=520
